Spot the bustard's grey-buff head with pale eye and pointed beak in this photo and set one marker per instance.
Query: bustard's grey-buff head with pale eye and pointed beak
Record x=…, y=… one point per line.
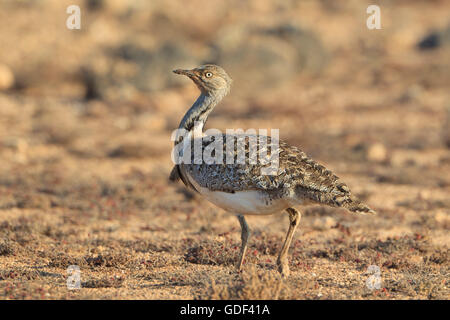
x=209, y=78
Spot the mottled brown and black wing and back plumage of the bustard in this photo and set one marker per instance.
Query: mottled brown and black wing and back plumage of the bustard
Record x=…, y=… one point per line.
x=298, y=177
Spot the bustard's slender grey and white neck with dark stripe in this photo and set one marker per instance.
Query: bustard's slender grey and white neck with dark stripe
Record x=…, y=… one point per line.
x=196, y=116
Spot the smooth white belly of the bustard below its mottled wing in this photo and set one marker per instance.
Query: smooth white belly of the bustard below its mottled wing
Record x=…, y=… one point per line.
x=243, y=202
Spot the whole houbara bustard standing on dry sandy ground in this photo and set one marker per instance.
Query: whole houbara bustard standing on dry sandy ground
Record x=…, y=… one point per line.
x=240, y=187
